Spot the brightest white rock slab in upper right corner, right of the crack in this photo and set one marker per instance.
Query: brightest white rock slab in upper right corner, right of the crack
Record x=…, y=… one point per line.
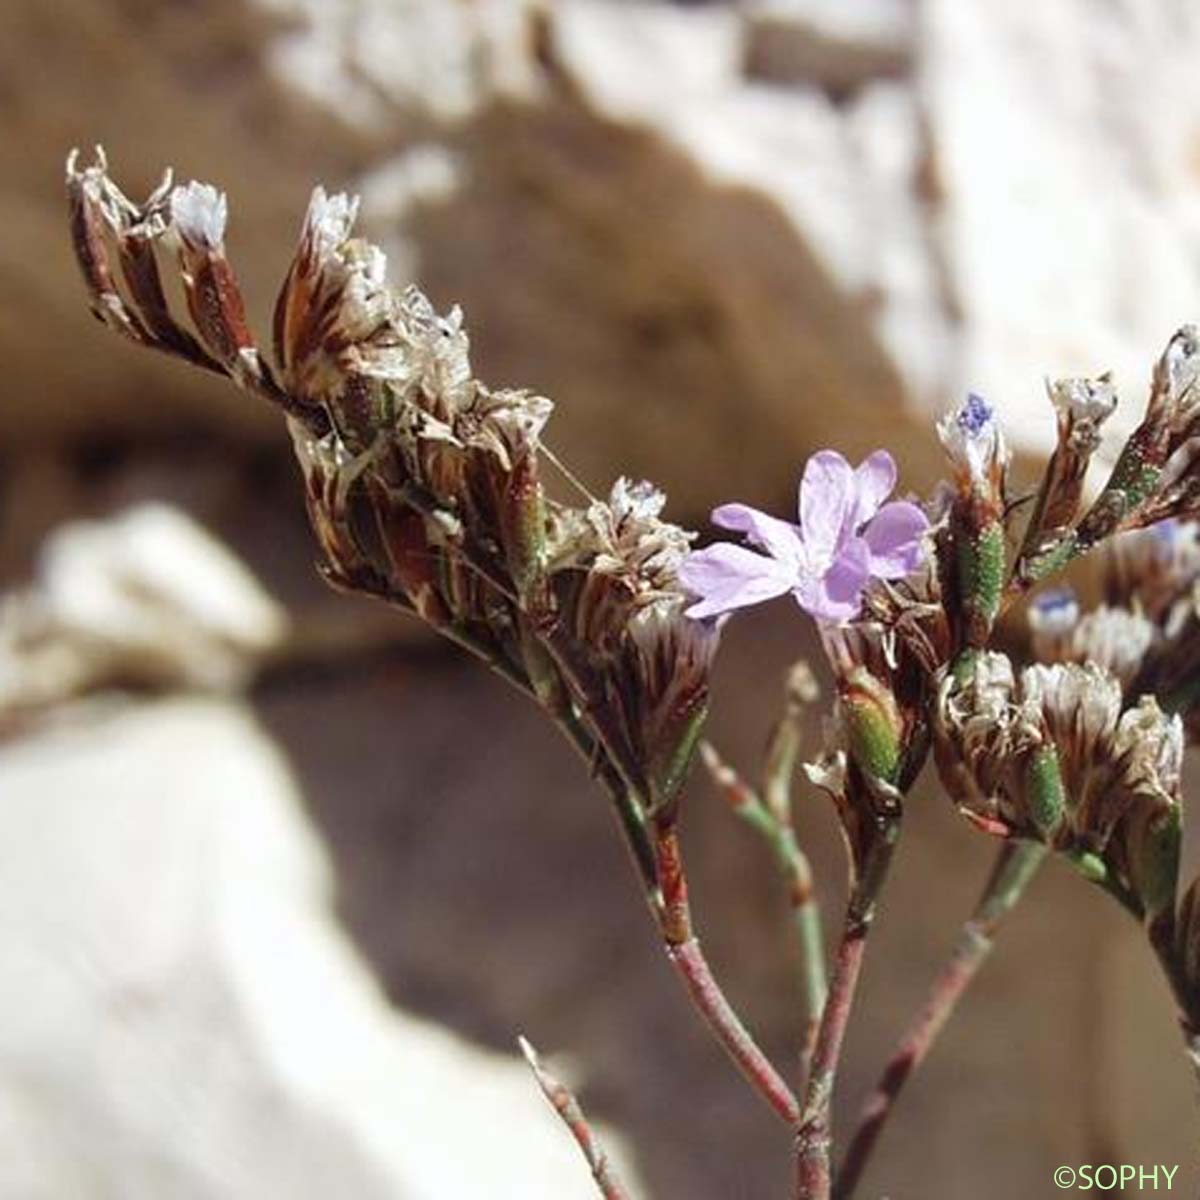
x=1066, y=141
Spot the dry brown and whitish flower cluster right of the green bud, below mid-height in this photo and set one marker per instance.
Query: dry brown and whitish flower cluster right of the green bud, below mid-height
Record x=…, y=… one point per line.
x=1052, y=757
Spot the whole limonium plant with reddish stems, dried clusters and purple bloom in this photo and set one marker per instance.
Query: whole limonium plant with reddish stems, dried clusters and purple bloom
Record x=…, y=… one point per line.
x=427, y=489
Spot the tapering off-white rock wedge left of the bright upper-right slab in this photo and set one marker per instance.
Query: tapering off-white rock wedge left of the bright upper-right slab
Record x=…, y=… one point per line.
x=844, y=172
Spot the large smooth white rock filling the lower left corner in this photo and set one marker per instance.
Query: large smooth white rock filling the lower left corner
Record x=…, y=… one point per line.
x=181, y=1015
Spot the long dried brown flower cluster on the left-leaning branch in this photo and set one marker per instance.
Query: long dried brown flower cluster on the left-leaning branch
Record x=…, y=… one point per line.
x=424, y=484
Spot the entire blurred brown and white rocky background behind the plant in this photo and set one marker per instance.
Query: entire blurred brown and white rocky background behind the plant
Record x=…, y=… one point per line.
x=280, y=880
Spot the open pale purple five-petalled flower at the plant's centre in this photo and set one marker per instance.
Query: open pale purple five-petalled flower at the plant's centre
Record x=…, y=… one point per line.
x=847, y=536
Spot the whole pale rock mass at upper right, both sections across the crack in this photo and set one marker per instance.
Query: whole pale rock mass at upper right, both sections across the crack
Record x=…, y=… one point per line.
x=1059, y=229
